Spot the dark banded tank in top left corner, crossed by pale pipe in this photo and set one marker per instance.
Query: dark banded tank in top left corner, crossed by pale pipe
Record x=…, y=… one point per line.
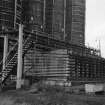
x=10, y=14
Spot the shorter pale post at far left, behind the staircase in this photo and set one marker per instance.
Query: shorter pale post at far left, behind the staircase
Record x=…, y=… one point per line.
x=5, y=50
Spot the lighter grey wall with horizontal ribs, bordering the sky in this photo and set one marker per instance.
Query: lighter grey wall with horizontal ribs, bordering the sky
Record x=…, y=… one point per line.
x=78, y=21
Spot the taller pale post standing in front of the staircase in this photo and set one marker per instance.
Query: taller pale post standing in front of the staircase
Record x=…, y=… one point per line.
x=19, y=66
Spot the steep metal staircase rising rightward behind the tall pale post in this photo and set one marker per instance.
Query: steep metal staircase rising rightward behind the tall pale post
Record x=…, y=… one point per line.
x=11, y=59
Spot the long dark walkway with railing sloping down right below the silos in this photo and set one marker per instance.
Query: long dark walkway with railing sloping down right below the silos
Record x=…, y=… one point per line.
x=76, y=49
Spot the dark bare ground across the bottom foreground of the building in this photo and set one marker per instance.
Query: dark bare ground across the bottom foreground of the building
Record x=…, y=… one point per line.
x=22, y=97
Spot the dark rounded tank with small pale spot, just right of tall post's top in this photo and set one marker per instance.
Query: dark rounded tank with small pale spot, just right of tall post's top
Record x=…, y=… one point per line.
x=33, y=14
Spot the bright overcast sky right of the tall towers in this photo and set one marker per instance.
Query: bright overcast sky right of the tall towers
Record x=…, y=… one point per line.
x=95, y=24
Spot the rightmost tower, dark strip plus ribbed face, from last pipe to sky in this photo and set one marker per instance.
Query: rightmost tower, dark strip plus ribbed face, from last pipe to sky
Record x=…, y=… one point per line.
x=75, y=21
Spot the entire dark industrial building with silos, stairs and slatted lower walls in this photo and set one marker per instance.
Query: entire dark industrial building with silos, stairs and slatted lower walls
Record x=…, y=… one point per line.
x=45, y=39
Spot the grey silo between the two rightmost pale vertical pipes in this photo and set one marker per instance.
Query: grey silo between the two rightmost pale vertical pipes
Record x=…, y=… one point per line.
x=55, y=18
